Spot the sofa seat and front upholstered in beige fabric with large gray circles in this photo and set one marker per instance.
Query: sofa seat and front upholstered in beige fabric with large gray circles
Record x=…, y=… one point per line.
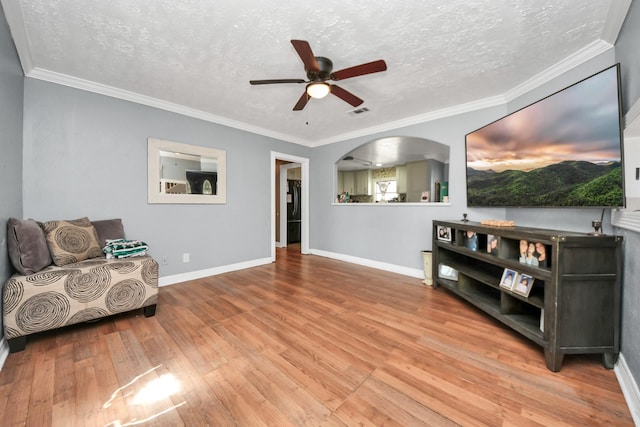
x=78, y=292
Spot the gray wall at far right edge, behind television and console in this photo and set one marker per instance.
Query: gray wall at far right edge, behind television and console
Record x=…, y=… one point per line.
x=627, y=55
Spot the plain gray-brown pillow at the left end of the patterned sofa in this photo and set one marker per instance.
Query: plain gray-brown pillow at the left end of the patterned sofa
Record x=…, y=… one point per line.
x=27, y=246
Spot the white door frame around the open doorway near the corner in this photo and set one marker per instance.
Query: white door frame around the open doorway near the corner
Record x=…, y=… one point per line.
x=303, y=163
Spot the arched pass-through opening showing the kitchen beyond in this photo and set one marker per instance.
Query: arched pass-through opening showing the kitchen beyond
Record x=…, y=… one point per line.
x=399, y=169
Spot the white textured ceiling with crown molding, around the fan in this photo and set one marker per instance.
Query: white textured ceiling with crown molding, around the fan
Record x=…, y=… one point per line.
x=196, y=57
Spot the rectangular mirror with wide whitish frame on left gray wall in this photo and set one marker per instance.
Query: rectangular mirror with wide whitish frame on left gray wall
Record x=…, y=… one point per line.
x=183, y=173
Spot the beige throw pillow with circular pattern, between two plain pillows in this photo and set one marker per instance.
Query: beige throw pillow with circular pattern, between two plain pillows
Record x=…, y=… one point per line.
x=71, y=240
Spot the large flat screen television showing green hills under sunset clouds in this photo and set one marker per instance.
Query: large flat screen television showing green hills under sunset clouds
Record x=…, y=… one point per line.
x=562, y=151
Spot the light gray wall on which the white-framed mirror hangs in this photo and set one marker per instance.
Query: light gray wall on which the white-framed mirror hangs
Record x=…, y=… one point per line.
x=86, y=155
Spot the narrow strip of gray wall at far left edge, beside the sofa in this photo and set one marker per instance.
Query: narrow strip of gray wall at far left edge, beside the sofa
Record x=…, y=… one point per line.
x=11, y=83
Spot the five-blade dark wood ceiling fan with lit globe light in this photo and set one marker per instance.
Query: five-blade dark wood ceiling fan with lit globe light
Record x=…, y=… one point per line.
x=320, y=69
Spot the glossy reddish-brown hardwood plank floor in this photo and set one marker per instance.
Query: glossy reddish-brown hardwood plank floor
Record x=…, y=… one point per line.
x=304, y=341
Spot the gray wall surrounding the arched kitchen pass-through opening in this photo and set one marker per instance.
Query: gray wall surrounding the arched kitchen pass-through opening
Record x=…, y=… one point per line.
x=392, y=233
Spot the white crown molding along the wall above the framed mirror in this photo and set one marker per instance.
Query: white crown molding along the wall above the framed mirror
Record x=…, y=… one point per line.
x=89, y=86
